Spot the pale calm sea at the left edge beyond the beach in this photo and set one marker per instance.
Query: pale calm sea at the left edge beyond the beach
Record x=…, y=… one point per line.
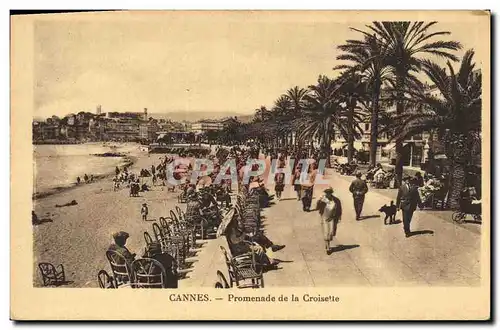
x=58, y=166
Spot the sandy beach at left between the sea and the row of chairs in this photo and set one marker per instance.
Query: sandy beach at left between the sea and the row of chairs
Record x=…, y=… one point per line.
x=78, y=236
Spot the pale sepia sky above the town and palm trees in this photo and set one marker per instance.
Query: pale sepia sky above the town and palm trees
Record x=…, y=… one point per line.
x=228, y=62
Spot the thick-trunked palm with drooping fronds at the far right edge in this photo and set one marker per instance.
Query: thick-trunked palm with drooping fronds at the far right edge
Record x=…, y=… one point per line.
x=455, y=115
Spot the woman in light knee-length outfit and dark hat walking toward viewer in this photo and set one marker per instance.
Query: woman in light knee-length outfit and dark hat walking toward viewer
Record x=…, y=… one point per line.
x=330, y=210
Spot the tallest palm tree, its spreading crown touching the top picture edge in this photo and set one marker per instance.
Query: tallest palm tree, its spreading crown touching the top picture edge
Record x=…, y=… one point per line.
x=406, y=43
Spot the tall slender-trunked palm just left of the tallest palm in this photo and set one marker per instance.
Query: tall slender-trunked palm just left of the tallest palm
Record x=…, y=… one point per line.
x=368, y=58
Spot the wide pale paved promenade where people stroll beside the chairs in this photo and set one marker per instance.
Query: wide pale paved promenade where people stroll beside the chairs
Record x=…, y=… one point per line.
x=440, y=253
